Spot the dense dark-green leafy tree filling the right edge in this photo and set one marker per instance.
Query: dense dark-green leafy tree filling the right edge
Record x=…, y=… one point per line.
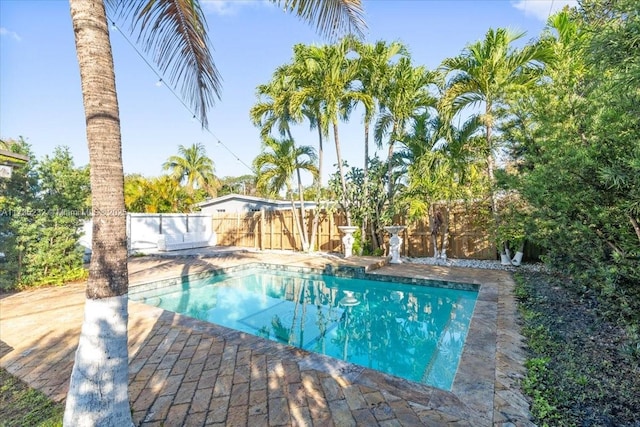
x=578, y=148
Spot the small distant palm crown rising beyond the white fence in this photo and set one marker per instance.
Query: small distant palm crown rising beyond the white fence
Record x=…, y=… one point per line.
x=192, y=167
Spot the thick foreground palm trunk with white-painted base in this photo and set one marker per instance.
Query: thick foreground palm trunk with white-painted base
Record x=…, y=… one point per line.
x=98, y=390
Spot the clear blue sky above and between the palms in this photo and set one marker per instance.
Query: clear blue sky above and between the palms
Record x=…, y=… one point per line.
x=41, y=100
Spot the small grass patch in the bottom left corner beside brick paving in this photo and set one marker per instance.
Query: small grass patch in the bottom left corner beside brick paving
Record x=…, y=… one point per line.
x=22, y=406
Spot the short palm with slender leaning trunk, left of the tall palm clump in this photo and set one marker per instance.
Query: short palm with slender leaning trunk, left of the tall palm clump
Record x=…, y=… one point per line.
x=275, y=168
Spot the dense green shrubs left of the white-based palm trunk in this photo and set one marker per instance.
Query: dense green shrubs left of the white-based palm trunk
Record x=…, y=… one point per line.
x=42, y=209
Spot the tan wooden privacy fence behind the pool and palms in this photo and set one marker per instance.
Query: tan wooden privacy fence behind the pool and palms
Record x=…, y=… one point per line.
x=276, y=229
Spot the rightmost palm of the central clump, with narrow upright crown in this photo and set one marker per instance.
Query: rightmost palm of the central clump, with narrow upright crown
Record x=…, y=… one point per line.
x=405, y=96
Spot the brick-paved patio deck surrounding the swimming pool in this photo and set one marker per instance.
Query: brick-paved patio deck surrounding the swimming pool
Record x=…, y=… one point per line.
x=186, y=372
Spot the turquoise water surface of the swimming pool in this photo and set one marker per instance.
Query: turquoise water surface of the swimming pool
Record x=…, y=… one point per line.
x=416, y=332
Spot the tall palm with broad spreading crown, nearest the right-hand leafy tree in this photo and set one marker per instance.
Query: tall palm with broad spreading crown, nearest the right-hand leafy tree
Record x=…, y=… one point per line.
x=484, y=75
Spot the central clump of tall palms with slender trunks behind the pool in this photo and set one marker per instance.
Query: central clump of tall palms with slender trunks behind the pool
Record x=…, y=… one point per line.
x=324, y=84
